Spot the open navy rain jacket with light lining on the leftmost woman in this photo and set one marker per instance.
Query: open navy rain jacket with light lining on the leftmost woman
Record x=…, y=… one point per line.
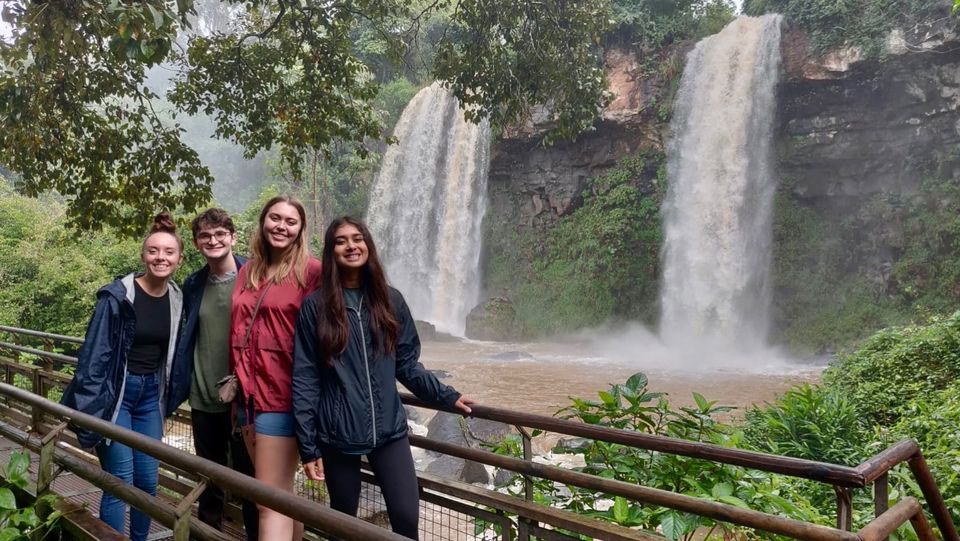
x=97, y=386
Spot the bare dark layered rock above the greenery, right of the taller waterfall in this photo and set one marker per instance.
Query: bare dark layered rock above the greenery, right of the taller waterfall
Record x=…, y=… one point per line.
x=850, y=128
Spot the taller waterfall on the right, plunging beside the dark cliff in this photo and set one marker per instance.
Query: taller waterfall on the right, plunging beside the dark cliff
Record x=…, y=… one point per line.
x=718, y=209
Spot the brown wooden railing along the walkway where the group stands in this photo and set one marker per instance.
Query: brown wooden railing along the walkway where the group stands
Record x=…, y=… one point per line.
x=541, y=521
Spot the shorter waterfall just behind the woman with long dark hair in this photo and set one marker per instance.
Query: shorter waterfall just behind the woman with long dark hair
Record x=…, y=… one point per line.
x=427, y=205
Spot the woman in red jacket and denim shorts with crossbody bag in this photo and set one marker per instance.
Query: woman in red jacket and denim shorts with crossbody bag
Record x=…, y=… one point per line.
x=266, y=301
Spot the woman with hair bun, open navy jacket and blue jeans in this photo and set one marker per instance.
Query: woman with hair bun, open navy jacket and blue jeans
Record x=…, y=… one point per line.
x=124, y=377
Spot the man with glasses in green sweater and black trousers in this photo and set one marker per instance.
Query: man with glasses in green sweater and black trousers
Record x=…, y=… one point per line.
x=203, y=358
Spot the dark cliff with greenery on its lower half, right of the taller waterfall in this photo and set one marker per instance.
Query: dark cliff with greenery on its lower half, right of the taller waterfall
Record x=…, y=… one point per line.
x=857, y=139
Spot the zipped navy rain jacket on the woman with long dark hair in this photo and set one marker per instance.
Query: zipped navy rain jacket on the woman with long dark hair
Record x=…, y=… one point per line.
x=354, y=405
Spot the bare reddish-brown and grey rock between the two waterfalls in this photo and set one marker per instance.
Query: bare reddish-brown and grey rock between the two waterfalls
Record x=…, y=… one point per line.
x=530, y=186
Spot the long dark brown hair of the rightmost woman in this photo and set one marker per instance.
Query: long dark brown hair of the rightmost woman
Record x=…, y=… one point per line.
x=333, y=327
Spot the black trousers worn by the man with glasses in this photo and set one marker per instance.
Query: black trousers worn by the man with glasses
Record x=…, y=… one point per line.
x=214, y=439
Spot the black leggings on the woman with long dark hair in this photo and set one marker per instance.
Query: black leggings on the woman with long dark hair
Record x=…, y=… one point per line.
x=392, y=465
